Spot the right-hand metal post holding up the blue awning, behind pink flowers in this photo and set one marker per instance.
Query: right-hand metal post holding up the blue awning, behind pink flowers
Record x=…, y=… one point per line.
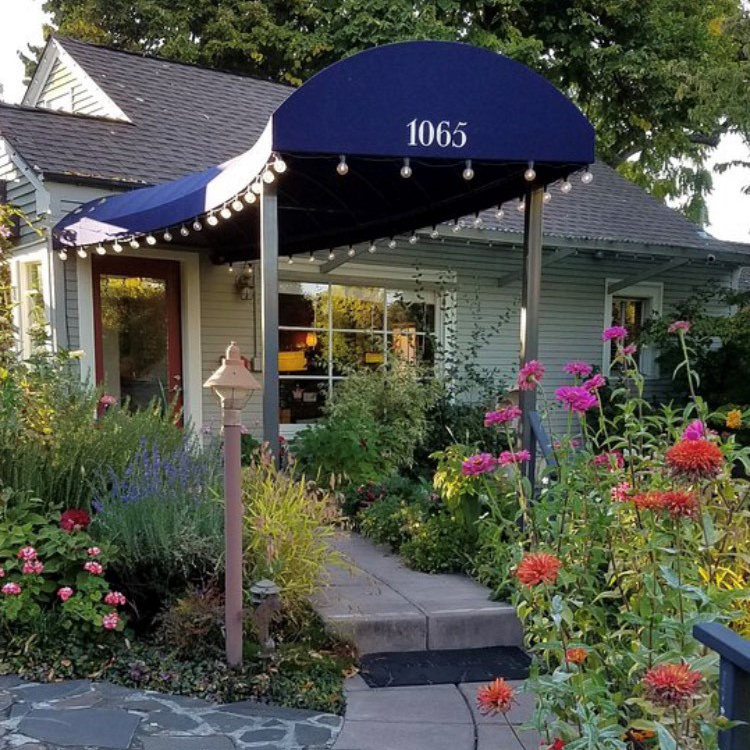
x=531, y=290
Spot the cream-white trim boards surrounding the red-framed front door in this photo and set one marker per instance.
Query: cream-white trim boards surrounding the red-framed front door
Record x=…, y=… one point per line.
x=190, y=318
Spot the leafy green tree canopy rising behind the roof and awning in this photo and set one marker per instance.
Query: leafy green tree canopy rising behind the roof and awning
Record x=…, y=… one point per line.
x=661, y=80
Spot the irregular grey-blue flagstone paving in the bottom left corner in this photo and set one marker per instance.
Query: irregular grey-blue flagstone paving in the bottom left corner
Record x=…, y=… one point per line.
x=83, y=715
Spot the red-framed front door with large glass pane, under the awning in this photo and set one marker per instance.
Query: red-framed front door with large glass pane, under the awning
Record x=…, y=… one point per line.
x=137, y=329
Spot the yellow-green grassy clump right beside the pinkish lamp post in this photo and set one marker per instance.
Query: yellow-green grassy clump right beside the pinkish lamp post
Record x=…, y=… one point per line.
x=288, y=527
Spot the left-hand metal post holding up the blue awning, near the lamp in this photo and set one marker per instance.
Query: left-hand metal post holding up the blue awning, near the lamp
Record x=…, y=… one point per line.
x=269, y=262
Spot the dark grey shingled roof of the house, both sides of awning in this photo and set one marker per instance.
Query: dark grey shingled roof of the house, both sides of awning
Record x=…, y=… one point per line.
x=184, y=118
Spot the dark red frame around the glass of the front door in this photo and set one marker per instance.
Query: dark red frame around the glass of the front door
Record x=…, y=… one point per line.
x=165, y=270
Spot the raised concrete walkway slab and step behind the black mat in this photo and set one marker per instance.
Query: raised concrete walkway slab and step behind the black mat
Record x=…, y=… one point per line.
x=378, y=604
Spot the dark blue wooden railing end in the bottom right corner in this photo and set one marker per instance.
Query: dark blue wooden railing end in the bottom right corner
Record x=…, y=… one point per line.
x=734, y=680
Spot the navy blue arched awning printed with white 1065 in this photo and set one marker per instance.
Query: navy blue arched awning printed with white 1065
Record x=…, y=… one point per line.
x=446, y=107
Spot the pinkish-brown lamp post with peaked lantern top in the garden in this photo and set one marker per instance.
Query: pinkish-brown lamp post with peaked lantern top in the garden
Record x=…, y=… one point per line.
x=232, y=383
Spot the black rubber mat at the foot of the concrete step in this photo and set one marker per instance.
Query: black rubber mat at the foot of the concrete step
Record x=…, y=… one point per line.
x=444, y=667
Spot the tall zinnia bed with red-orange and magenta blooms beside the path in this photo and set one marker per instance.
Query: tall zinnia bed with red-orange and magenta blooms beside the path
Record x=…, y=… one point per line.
x=639, y=533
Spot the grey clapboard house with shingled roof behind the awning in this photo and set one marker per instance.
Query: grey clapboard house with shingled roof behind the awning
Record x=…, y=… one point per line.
x=152, y=319
